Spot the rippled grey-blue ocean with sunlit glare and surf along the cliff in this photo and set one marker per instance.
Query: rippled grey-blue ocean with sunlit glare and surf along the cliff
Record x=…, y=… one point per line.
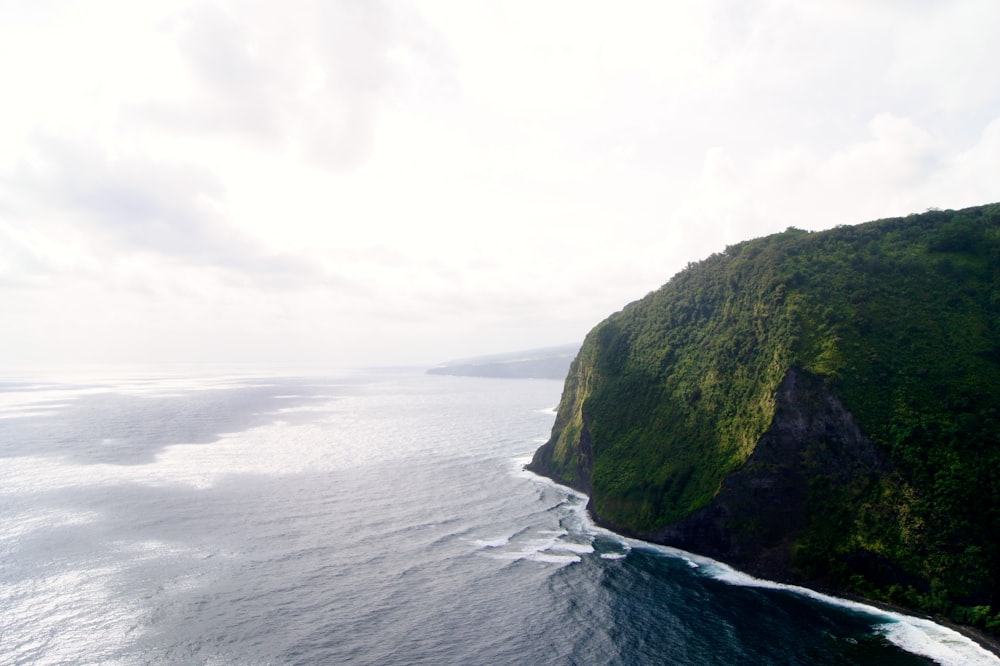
x=358, y=517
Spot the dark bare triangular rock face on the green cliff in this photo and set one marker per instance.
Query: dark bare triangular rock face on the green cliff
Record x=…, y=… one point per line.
x=764, y=506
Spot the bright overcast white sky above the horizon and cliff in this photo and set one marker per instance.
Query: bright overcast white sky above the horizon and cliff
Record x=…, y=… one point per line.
x=349, y=183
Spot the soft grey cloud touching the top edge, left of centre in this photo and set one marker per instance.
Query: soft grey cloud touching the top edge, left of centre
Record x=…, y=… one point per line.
x=309, y=76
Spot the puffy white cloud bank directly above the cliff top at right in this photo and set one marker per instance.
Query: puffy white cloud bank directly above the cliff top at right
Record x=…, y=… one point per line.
x=900, y=167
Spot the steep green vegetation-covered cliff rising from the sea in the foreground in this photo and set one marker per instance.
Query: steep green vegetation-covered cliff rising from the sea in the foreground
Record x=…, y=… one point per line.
x=818, y=407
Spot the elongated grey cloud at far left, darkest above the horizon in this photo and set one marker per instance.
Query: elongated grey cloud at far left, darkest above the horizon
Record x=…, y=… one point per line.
x=129, y=203
